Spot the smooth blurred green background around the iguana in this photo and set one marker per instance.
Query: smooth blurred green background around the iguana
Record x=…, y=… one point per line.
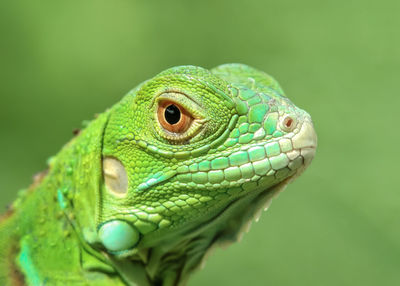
x=338, y=224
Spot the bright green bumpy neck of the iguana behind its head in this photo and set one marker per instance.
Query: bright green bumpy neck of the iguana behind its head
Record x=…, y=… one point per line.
x=49, y=219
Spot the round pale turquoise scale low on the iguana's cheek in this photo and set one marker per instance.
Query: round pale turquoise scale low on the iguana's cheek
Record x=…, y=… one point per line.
x=118, y=235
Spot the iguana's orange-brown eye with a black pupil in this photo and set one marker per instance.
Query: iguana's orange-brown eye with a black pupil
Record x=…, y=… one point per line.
x=173, y=117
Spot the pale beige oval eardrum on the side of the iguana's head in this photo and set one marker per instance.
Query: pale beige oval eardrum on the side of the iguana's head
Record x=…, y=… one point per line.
x=115, y=176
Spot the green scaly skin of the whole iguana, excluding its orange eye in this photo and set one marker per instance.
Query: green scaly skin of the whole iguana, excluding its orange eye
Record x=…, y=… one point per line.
x=127, y=202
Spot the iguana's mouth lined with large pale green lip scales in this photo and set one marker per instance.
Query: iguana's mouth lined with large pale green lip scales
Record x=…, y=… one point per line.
x=278, y=158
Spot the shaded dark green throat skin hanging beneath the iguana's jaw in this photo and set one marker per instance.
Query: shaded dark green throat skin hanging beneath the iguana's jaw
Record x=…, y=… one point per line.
x=171, y=261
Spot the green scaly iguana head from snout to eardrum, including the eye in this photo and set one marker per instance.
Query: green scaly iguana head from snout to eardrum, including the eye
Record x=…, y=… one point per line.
x=192, y=153
